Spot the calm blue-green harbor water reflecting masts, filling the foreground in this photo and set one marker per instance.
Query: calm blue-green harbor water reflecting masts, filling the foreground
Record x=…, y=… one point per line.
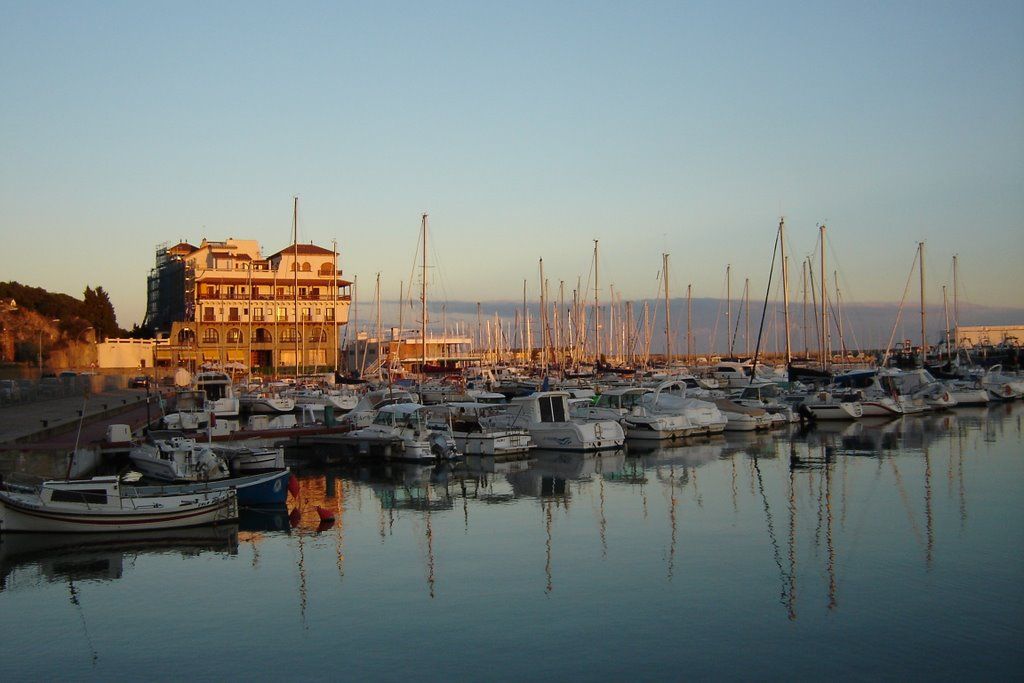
x=867, y=550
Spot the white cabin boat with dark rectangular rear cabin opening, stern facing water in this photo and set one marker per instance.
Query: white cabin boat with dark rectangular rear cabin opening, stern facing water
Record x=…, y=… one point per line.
x=546, y=416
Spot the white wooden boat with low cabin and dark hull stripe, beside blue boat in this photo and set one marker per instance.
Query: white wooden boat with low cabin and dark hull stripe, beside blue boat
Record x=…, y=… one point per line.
x=100, y=505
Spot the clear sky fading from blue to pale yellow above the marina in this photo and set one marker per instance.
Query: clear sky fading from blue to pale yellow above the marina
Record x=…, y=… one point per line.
x=526, y=131
